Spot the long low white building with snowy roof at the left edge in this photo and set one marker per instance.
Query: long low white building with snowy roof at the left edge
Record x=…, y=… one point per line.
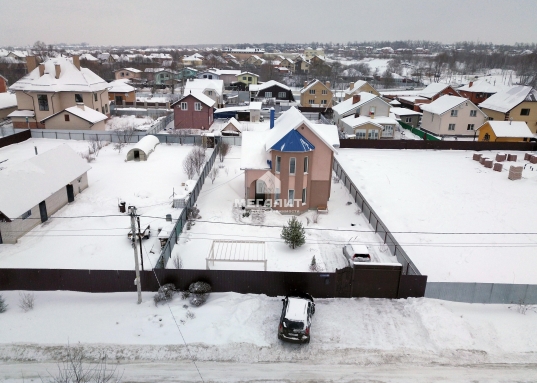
x=33, y=190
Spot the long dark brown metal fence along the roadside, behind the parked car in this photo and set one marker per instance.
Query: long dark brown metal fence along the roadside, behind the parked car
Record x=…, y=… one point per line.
x=366, y=281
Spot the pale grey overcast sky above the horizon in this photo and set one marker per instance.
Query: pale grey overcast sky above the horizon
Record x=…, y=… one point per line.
x=179, y=22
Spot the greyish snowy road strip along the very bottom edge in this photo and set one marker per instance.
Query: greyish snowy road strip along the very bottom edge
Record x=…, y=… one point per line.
x=288, y=372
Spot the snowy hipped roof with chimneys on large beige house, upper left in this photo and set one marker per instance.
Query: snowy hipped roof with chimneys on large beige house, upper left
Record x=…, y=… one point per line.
x=71, y=79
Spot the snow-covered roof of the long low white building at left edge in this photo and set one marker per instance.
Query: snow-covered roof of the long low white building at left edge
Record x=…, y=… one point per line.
x=26, y=184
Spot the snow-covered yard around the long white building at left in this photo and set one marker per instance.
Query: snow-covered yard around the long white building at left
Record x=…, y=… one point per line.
x=84, y=242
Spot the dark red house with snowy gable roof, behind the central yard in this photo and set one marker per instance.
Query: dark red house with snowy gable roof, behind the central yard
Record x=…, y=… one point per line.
x=193, y=111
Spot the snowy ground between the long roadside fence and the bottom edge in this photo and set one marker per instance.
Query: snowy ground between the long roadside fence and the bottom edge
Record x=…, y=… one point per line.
x=240, y=330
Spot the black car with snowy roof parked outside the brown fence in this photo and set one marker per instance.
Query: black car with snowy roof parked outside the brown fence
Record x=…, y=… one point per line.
x=295, y=322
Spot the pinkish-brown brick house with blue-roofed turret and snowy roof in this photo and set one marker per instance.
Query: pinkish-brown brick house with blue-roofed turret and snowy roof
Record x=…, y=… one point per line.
x=289, y=167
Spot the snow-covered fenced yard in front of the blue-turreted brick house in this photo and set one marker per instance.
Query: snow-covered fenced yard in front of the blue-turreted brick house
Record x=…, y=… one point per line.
x=324, y=239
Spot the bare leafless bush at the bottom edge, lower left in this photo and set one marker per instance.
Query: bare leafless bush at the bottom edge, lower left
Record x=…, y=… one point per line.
x=74, y=369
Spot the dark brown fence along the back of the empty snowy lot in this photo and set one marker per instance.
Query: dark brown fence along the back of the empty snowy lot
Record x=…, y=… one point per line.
x=437, y=145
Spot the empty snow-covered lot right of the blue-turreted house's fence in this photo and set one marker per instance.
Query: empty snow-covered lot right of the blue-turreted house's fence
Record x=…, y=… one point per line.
x=431, y=193
